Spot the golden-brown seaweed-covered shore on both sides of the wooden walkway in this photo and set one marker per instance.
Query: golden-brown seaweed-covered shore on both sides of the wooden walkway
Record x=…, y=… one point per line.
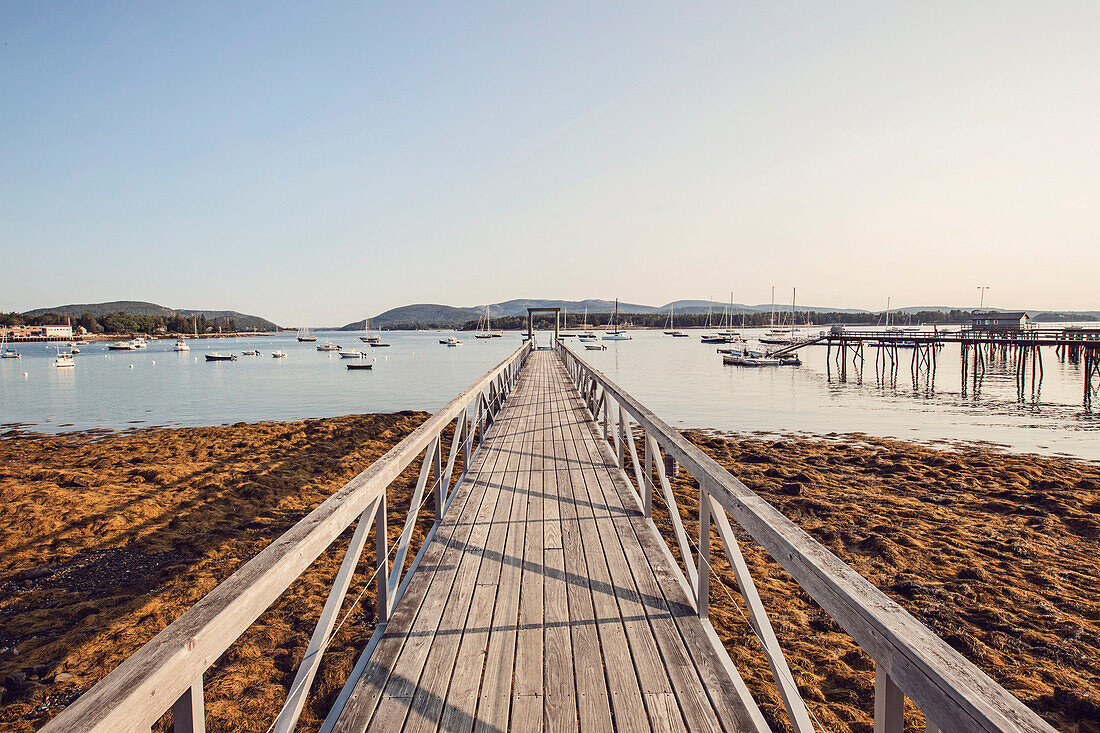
x=105, y=539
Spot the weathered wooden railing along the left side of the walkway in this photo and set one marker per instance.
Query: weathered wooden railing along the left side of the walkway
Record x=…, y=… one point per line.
x=167, y=673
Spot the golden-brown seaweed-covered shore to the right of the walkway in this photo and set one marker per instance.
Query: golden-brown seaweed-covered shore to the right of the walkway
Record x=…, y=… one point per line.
x=996, y=553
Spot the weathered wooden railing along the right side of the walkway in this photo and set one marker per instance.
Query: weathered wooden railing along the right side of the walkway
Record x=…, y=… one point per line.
x=910, y=661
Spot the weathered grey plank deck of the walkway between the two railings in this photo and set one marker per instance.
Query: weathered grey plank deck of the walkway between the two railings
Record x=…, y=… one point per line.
x=546, y=600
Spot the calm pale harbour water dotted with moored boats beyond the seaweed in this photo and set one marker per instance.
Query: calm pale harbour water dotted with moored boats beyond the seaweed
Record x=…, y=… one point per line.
x=683, y=380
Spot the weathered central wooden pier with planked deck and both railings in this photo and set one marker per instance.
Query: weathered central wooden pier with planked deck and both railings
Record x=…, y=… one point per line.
x=545, y=597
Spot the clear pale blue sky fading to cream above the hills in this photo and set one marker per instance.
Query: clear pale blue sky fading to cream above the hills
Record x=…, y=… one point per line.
x=336, y=159
